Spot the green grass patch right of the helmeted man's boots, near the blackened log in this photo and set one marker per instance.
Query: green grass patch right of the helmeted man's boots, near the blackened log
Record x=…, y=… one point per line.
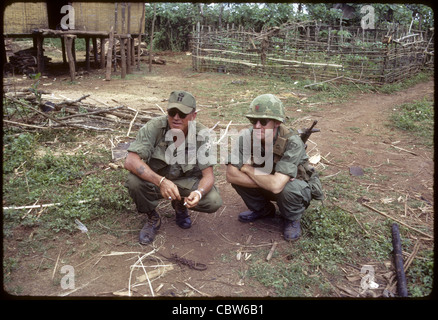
x=332, y=238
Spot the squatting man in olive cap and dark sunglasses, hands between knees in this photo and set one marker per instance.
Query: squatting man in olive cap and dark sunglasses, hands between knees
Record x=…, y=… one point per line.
x=155, y=175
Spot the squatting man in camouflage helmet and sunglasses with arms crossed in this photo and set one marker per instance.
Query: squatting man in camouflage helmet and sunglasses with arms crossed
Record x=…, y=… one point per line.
x=286, y=183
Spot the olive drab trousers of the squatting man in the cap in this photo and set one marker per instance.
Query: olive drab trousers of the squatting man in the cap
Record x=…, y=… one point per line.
x=146, y=195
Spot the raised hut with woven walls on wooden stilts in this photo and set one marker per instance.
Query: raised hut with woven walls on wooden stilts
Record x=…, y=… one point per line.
x=92, y=20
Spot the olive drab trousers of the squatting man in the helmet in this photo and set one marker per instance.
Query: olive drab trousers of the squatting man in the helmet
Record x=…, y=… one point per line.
x=292, y=201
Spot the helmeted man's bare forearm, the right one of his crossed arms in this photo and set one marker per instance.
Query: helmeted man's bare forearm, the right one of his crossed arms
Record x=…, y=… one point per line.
x=271, y=182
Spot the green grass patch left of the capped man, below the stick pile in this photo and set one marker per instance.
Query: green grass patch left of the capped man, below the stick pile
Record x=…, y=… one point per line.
x=49, y=176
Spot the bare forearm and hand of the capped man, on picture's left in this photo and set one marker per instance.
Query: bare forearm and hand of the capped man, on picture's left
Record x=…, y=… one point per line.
x=137, y=166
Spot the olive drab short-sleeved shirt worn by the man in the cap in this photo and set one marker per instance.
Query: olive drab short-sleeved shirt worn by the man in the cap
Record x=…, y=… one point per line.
x=151, y=146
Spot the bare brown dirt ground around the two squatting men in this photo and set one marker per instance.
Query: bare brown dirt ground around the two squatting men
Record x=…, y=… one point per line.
x=214, y=239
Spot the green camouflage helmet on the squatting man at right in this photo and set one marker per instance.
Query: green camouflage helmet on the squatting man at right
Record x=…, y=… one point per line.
x=266, y=106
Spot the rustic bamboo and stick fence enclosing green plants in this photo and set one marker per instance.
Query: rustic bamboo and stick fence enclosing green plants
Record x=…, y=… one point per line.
x=309, y=50
